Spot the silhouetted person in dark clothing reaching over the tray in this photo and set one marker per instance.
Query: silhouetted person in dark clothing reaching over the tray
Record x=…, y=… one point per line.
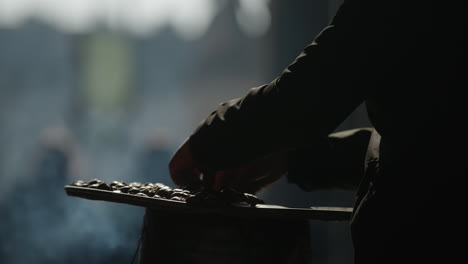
x=404, y=59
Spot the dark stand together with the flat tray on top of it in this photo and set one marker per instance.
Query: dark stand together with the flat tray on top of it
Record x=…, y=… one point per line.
x=176, y=232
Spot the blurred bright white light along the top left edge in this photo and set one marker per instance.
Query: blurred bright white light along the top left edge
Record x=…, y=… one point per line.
x=189, y=18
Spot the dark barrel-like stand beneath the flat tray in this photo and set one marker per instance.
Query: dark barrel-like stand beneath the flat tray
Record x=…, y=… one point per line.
x=169, y=237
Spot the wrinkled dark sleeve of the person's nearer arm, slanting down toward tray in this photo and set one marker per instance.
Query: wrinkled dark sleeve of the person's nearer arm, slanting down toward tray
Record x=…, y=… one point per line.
x=302, y=106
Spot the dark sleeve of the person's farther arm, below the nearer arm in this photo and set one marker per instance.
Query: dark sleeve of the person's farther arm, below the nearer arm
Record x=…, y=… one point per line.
x=337, y=162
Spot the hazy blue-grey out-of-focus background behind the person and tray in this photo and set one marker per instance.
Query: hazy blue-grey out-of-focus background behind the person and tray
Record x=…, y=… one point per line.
x=109, y=89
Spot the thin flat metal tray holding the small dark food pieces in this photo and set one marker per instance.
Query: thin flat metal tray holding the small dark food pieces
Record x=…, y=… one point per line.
x=237, y=210
